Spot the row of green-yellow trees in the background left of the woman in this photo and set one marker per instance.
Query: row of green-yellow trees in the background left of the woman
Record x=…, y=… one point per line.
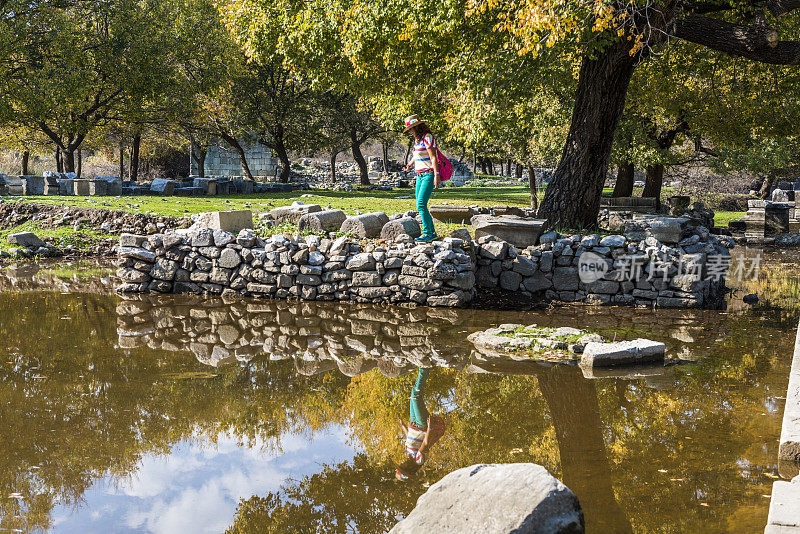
x=107, y=74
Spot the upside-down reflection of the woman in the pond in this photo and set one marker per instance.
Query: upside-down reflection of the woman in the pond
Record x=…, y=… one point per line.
x=422, y=431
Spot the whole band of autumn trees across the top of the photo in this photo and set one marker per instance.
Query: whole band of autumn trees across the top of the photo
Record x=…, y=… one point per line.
x=580, y=87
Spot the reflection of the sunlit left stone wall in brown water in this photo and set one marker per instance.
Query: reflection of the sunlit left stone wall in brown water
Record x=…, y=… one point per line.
x=355, y=338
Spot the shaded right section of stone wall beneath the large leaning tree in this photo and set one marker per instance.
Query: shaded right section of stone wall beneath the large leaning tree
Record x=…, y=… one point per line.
x=689, y=272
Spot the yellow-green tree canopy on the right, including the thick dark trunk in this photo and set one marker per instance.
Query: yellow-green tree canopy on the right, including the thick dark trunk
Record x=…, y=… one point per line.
x=572, y=84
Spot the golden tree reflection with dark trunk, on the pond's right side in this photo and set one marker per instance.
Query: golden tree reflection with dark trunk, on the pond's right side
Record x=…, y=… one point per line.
x=687, y=452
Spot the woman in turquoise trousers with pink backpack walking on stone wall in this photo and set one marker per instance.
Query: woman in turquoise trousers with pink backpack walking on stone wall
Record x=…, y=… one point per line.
x=426, y=166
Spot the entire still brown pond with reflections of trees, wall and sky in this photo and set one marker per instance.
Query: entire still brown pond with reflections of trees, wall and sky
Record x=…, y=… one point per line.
x=195, y=415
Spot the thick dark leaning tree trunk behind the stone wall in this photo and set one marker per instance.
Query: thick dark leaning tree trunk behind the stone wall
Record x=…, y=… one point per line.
x=572, y=199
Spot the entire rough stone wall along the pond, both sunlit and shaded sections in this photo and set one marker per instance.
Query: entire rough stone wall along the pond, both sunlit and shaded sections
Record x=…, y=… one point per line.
x=685, y=269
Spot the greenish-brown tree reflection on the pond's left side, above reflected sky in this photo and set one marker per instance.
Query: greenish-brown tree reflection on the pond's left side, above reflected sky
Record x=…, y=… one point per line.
x=75, y=409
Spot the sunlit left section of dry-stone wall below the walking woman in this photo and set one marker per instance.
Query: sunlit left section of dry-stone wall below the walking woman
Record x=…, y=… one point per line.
x=311, y=268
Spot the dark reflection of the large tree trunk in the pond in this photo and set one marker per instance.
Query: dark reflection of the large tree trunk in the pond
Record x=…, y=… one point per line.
x=585, y=468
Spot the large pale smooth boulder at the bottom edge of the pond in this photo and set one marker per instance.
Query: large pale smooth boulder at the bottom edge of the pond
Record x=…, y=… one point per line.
x=496, y=498
